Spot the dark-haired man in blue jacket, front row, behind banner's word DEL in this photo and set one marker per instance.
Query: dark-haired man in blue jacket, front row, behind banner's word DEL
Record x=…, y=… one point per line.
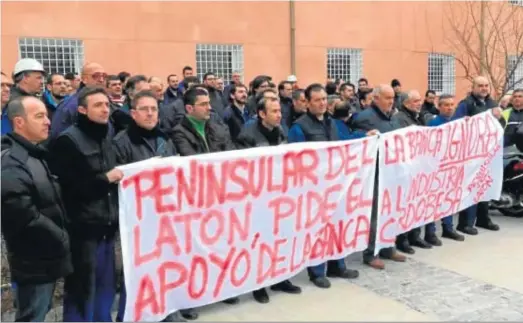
x=316, y=125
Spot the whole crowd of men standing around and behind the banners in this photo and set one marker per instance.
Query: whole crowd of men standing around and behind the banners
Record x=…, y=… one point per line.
x=61, y=149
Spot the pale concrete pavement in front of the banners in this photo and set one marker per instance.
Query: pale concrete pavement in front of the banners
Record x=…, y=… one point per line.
x=480, y=279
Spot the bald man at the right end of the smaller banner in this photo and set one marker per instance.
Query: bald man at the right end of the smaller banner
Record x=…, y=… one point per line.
x=476, y=102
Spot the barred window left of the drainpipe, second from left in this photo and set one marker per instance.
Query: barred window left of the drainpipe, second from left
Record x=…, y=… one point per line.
x=221, y=59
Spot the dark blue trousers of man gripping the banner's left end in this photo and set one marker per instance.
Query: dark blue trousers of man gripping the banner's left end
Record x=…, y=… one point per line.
x=91, y=289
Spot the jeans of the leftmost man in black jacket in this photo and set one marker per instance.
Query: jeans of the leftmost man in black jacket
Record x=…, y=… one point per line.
x=34, y=301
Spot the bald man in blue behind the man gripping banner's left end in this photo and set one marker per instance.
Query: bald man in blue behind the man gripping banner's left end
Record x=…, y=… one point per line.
x=93, y=75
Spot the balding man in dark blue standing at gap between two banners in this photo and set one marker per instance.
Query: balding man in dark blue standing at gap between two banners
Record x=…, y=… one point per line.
x=378, y=116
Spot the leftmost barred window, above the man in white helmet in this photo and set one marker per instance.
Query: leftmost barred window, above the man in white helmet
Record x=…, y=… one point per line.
x=57, y=55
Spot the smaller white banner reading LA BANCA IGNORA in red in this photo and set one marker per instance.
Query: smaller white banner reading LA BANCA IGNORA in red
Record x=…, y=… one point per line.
x=427, y=173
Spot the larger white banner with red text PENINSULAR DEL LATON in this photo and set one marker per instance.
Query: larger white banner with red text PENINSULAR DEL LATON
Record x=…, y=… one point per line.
x=197, y=230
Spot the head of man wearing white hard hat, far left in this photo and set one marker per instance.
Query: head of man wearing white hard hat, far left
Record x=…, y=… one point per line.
x=28, y=76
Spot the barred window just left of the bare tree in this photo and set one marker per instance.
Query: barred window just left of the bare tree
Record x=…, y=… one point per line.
x=442, y=73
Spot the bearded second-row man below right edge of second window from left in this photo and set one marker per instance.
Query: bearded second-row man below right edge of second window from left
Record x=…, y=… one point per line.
x=236, y=115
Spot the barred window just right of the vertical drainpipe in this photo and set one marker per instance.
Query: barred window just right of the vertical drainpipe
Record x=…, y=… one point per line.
x=345, y=64
